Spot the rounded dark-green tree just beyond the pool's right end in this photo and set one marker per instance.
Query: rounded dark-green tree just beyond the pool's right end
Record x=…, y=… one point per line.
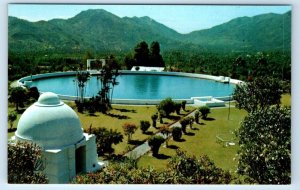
x=257, y=95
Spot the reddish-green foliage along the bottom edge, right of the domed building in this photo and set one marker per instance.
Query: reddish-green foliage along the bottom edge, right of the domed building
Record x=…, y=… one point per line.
x=202, y=171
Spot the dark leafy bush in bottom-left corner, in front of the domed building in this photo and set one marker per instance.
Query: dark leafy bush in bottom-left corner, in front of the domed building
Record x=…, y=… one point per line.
x=25, y=164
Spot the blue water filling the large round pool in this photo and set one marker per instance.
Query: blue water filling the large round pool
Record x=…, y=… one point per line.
x=141, y=87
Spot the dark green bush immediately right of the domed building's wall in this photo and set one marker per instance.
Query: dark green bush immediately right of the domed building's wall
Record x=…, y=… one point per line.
x=105, y=139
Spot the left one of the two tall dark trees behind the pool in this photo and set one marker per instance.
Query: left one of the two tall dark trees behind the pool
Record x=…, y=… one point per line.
x=141, y=54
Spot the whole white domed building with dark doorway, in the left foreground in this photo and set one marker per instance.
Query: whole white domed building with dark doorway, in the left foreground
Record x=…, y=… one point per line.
x=56, y=128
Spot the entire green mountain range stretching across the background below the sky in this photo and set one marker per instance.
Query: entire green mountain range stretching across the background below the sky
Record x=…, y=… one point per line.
x=102, y=31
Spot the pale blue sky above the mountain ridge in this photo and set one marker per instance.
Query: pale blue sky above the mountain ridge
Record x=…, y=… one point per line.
x=182, y=18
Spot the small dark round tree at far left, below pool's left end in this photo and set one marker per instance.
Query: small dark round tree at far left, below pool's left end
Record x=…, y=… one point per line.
x=18, y=97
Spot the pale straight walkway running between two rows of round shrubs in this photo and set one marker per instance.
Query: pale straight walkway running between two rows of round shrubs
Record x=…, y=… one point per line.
x=144, y=148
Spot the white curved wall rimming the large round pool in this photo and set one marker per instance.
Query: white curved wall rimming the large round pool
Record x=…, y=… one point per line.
x=26, y=81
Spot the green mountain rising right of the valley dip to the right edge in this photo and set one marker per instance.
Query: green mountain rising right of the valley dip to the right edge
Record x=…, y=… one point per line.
x=263, y=32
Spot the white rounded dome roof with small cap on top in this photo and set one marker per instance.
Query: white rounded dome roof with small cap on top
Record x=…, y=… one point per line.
x=50, y=123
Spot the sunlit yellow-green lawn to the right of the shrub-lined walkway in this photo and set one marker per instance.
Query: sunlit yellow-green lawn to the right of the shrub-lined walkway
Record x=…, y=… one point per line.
x=203, y=141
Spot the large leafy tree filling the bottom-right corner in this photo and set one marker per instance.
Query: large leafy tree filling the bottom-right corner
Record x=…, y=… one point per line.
x=265, y=146
